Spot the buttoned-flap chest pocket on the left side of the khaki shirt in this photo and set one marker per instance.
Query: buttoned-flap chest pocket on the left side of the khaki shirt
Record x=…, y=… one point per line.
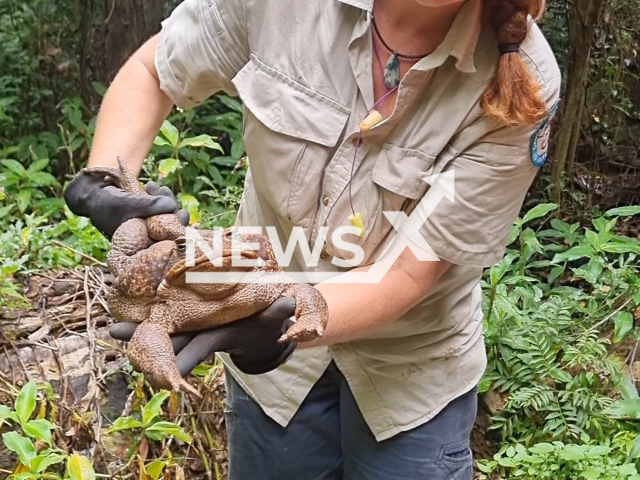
x=290, y=135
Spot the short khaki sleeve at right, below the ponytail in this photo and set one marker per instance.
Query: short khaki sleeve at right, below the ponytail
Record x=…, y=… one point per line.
x=491, y=179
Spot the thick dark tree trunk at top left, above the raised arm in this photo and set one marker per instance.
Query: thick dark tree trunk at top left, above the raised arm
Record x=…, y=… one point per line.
x=128, y=24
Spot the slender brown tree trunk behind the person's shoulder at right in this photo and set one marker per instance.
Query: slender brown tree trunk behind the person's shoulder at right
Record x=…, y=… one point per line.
x=583, y=16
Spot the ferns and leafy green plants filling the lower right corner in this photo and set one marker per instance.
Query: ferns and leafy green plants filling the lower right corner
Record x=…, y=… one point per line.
x=548, y=303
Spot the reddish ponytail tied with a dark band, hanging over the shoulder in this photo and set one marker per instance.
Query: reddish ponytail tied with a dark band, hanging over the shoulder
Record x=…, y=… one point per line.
x=514, y=96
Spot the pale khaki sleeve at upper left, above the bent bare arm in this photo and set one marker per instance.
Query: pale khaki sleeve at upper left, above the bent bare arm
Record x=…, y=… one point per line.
x=202, y=46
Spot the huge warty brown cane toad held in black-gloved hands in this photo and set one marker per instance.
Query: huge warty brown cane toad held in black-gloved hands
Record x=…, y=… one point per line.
x=150, y=286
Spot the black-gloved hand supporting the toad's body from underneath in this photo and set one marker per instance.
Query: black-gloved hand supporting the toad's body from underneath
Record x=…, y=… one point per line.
x=252, y=342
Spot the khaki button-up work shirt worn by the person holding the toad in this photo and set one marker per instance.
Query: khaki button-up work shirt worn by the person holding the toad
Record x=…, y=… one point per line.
x=303, y=71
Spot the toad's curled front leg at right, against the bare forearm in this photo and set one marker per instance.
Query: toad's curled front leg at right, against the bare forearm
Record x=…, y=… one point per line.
x=312, y=313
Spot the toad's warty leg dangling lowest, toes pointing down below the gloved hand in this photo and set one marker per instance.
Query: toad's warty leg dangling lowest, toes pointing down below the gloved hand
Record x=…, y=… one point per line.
x=151, y=353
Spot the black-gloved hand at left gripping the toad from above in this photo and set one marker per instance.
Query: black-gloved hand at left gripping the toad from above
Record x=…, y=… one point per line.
x=107, y=206
